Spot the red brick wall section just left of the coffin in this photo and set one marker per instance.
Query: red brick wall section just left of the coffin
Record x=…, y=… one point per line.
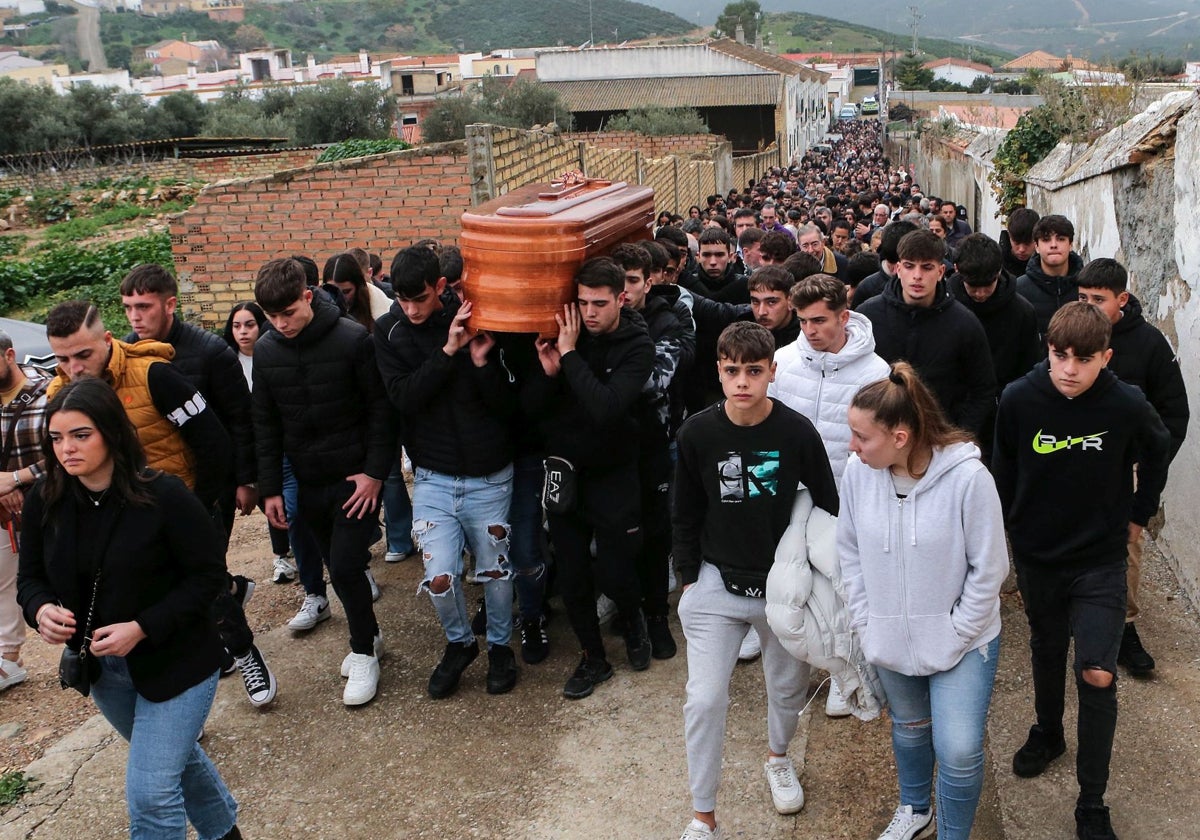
x=380, y=203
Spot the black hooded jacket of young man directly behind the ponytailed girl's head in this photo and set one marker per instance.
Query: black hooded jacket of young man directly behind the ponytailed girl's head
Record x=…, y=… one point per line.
x=945, y=344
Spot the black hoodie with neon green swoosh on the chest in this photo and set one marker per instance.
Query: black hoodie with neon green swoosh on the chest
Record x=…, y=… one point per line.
x=1064, y=467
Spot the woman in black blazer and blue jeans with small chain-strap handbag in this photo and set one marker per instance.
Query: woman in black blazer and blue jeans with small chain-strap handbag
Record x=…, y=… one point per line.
x=122, y=565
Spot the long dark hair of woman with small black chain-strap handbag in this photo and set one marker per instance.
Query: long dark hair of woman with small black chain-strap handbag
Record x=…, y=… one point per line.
x=98, y=400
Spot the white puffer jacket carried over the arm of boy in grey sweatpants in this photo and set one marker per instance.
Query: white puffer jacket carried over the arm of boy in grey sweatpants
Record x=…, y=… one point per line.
x=807, y=607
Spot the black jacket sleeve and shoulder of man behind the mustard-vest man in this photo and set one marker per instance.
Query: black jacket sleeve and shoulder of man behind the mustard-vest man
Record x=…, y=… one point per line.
x=214, y=370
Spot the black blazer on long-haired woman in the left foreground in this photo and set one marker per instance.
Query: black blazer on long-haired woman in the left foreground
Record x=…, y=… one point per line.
x=164, y=568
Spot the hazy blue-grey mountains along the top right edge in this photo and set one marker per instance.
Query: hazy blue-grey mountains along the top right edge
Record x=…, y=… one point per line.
x=1085, y=28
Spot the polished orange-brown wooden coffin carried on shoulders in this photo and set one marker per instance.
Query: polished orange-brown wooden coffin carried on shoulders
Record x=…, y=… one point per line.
x=521, y=251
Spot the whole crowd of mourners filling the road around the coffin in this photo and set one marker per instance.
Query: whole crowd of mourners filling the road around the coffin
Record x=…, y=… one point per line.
x=825, y=373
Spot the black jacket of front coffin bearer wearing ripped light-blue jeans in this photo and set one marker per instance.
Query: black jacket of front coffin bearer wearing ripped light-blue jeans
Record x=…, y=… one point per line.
x=455, y=417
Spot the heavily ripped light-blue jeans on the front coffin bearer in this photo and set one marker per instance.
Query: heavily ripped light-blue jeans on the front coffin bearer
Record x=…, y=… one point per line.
x=452, y=513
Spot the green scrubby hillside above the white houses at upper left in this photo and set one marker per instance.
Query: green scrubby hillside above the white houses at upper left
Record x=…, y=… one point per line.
x=339, y=27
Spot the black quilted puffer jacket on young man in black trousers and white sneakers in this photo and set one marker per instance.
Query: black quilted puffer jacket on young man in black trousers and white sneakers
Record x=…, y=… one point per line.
x=319, y=399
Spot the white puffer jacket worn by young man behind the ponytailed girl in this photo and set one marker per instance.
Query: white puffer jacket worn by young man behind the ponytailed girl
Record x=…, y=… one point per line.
x=821, y=386
